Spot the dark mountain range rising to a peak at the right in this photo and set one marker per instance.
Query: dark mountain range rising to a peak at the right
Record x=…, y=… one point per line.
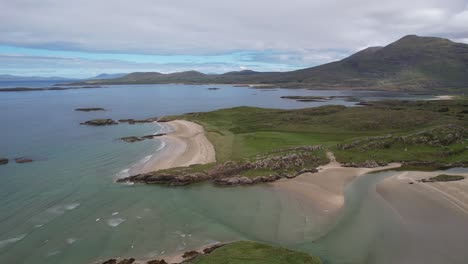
x=411, y=63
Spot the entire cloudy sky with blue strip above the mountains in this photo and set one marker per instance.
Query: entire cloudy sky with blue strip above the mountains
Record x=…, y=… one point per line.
x=81, y=38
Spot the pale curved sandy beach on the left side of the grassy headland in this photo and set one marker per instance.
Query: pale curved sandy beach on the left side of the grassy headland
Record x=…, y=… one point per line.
x=185, y=145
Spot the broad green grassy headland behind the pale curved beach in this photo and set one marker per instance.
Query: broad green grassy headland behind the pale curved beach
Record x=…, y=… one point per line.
x=420, y=130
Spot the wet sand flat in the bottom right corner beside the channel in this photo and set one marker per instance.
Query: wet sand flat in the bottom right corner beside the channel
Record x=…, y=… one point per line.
x=433, y=216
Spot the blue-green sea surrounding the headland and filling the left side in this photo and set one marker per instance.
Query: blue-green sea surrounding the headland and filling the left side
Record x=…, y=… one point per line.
x=65, y=207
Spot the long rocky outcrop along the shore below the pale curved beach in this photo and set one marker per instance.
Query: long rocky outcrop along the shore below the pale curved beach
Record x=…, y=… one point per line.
x=230, y=173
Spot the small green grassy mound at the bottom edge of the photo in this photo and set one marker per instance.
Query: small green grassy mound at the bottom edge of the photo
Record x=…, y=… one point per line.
x=255, y=253
